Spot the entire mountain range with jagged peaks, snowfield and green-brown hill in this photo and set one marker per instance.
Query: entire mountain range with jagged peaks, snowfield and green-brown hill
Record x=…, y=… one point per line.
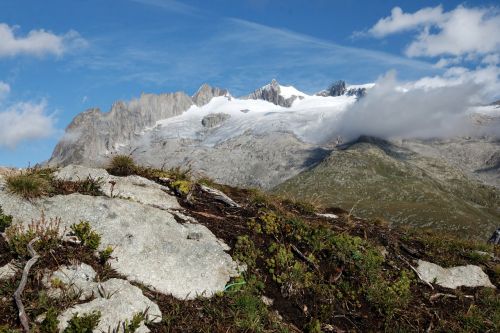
x=280, y=139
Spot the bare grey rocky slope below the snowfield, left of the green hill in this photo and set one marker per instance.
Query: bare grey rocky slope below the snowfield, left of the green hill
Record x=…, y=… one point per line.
x=248, y=160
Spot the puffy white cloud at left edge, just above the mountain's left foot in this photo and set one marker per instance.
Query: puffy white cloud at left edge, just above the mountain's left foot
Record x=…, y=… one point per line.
x=25, y=121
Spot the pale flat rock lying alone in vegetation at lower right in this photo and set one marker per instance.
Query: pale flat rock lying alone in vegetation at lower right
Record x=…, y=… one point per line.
x=467, y=276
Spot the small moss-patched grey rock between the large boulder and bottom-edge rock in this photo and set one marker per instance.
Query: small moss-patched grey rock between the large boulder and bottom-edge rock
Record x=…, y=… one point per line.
x=75, y=280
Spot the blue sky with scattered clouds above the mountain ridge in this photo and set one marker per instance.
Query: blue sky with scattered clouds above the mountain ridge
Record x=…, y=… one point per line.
x=66, y=56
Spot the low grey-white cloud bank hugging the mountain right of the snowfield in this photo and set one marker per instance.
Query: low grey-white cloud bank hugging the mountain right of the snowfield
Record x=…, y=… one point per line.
x=393, y=109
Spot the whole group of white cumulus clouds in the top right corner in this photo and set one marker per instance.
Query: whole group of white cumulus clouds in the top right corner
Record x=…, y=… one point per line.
x=457, y=32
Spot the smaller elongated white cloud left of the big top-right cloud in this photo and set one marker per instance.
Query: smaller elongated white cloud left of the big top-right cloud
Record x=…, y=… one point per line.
x=400, y=21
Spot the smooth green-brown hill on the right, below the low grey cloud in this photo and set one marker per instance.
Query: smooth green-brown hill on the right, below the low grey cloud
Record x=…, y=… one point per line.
x=387, y=181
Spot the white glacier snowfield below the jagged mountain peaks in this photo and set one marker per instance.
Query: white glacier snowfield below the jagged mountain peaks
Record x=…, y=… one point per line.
x=305, y=118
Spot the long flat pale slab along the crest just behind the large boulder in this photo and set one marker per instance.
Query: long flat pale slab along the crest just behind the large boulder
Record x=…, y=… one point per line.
x=134, y=188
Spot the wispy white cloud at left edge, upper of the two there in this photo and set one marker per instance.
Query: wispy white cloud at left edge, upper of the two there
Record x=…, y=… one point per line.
x=37, y=42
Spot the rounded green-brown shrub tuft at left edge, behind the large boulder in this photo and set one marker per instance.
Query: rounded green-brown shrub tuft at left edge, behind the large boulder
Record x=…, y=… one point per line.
x=28, y=185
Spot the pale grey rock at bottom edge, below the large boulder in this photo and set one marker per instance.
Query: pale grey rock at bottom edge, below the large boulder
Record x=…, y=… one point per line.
x=119, y=302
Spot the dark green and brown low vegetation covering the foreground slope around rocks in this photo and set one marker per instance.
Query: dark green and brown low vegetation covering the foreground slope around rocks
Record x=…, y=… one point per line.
x=304, y=272
